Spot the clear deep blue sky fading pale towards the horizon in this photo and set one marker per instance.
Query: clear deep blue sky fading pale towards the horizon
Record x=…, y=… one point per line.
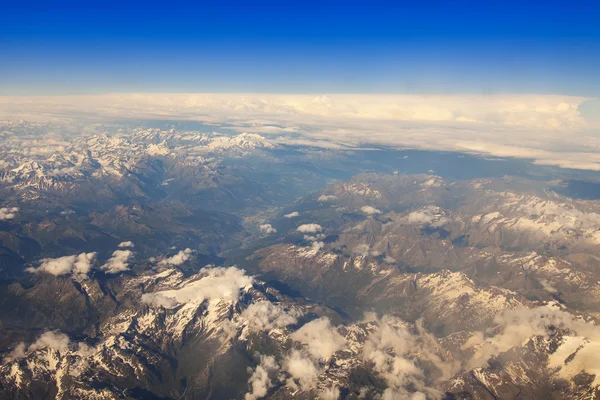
x=304, y=47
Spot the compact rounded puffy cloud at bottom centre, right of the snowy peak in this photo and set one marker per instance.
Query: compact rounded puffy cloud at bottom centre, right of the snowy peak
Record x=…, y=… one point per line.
x=322, y=339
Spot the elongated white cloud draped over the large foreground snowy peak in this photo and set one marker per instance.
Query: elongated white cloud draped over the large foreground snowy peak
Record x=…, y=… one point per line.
x=215, y=283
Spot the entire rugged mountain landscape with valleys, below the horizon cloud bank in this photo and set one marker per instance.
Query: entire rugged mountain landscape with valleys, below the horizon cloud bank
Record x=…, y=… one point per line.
x=353, y=280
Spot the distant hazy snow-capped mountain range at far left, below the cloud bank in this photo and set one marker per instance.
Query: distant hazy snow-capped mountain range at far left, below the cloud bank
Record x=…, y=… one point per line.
x=139, y=162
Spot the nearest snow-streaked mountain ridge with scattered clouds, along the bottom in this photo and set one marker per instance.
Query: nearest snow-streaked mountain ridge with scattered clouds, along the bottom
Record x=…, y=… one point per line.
x=172, y=335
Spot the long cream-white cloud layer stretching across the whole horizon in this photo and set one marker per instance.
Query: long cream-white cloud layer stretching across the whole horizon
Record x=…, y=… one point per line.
x=546, y=128
